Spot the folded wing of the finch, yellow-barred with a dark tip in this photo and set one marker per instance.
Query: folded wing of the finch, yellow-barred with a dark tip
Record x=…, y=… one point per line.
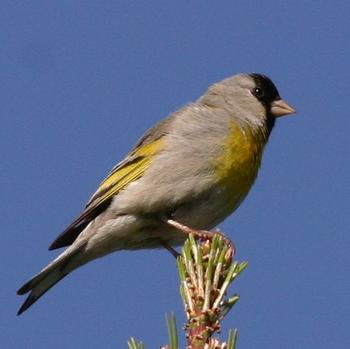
x=124, y=173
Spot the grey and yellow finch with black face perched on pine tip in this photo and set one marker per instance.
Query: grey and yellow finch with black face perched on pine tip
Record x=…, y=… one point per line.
x=192, y=169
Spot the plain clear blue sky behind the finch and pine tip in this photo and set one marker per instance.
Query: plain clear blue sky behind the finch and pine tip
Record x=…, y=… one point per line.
x=79, y=83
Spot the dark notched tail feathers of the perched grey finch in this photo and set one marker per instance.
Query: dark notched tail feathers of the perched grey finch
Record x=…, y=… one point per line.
x=48, y=277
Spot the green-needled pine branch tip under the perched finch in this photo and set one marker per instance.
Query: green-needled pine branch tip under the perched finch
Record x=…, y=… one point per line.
x=206, y=269
